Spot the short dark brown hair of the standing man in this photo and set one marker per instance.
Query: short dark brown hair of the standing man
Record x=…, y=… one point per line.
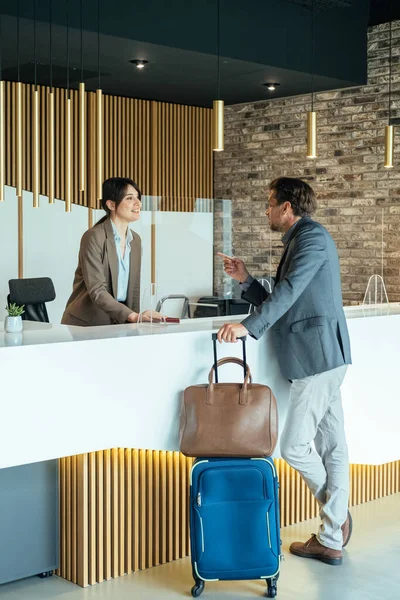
x=296, y=191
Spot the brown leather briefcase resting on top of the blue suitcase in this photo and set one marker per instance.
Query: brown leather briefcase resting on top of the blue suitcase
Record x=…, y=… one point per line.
x=228, y=419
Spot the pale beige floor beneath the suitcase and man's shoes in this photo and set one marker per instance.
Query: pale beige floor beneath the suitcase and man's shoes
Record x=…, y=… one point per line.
x=370, y=570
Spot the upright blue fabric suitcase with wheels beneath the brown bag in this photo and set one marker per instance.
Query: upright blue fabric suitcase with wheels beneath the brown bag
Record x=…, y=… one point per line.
x=234, y=521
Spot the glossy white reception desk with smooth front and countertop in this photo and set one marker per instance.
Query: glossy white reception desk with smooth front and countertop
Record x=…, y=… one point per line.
x=70, y=390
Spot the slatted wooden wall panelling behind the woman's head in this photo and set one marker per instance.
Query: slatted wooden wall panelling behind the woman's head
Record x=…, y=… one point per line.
x=166, y=148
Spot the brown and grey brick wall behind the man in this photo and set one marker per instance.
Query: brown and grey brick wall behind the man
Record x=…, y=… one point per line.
x=267, y=139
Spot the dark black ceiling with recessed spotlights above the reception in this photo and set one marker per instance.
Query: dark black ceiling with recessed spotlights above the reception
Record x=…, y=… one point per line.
x=264, y=40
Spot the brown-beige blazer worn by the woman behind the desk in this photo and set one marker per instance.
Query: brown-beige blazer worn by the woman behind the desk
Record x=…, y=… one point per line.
x=93, y=299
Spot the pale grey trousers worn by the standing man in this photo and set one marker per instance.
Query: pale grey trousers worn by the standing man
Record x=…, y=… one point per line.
x=315, y=413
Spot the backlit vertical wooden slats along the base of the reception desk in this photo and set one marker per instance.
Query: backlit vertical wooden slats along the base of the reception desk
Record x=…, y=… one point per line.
x=125, y=510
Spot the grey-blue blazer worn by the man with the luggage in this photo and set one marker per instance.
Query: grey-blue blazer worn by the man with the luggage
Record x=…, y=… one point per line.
x=305, y=309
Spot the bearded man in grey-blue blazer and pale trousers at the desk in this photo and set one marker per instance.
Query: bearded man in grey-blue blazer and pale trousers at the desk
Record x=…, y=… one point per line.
x=304, y=314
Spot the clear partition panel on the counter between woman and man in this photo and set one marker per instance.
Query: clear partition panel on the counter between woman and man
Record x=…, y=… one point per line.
x=177, y=254
